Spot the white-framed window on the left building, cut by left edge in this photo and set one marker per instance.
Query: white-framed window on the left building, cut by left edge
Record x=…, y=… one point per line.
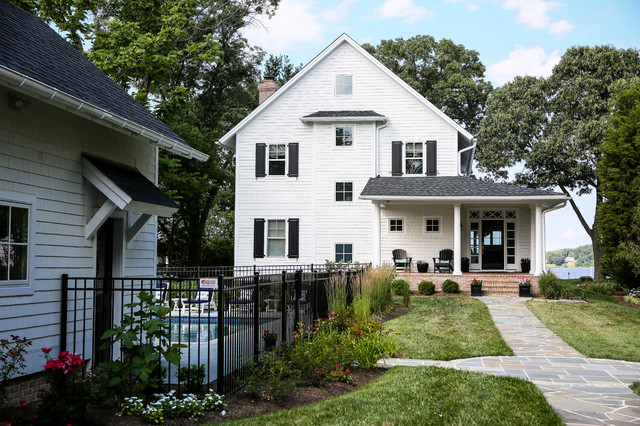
x=14, y=242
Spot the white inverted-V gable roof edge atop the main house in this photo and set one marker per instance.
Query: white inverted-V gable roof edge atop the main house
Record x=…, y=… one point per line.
x=229, y=138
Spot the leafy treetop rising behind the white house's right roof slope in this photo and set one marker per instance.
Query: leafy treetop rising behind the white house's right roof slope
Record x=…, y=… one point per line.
x=450, y=76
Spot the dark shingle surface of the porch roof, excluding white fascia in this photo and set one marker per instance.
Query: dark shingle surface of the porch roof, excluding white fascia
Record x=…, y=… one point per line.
x=445, y=186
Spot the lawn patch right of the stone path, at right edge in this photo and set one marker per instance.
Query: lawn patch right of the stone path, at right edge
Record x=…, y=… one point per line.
x=602, y=328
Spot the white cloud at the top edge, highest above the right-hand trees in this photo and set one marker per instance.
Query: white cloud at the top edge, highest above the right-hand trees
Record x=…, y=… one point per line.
x=535, y=14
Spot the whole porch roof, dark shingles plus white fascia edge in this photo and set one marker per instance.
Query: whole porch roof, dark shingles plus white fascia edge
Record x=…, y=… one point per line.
x=441, y=188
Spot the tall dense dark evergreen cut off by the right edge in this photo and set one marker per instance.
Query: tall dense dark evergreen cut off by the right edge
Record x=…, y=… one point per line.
x=619, y=175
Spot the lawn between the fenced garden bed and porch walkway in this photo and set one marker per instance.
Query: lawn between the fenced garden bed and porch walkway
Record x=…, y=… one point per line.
x=446, y=328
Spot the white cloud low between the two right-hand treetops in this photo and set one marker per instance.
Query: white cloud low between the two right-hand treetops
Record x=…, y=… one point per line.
x=534, y=62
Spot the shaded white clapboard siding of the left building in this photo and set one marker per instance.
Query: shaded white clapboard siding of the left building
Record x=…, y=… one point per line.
x=40, y=155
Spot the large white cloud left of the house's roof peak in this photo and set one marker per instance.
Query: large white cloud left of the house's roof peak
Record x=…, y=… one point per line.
x=293, y=24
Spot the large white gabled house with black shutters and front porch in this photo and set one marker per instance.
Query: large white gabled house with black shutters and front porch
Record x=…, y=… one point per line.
x=346, y=161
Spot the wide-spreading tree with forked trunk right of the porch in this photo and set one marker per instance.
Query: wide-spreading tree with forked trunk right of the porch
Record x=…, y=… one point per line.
x=553, y=128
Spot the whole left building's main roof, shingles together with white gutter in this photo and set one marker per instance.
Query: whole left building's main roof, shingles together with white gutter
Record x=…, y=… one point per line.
x=35, y=60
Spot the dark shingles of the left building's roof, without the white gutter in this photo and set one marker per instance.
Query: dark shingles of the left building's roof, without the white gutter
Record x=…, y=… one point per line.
x=28, y=46
